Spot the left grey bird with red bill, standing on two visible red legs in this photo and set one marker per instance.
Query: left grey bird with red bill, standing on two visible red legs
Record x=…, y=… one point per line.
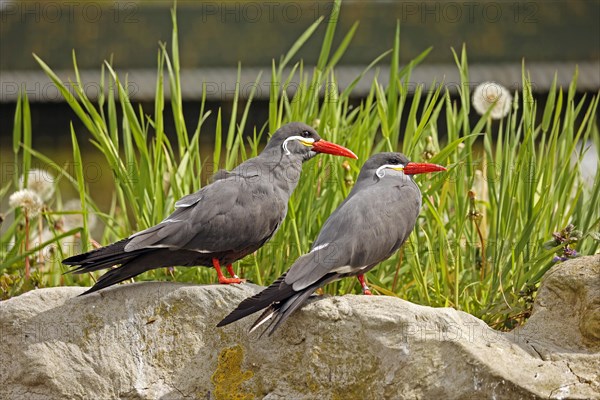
x=222, y=222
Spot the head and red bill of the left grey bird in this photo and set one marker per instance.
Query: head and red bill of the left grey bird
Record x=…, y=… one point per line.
x=300, y=141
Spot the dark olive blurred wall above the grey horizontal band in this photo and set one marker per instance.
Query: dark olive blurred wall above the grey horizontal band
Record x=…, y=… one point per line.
x=222, y=33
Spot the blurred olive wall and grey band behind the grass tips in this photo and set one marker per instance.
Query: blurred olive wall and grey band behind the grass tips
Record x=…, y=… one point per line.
x=550, y=36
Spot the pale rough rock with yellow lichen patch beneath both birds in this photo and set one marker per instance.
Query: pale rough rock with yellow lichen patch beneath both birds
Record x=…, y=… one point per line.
x=159, y=341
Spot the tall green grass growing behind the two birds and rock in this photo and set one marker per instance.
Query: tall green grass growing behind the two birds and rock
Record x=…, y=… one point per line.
x=482, y=241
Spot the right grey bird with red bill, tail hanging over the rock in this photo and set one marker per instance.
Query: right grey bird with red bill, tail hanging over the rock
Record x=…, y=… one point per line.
x=367, y=228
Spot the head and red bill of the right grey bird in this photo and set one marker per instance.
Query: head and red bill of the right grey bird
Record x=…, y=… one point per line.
x=390, y=165
